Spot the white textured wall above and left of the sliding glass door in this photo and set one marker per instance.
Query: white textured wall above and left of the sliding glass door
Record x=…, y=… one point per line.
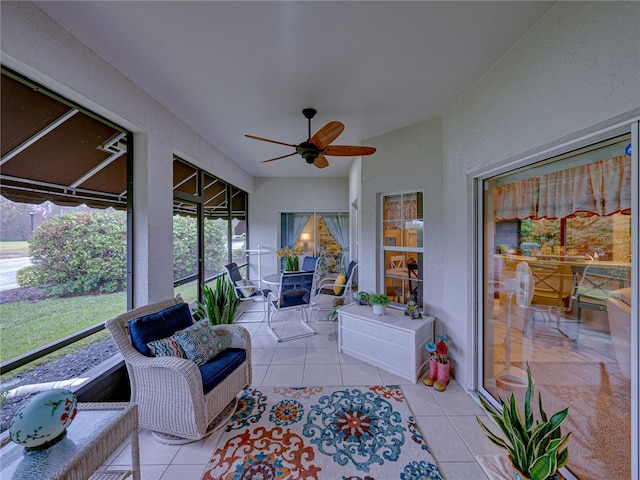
x=574, y=71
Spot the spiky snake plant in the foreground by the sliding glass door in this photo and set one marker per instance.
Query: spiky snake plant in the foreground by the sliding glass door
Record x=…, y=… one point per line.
x=536, y=447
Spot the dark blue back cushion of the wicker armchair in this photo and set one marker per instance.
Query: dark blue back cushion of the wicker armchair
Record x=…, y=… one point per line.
x=155, y=326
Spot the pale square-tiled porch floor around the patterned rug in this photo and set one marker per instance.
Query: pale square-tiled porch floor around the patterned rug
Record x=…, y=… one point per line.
x=446, y=418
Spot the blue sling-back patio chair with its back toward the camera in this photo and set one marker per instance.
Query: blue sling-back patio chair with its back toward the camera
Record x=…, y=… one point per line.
x=294, y=293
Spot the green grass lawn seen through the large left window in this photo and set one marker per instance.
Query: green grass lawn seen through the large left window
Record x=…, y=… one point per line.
x=25, y=326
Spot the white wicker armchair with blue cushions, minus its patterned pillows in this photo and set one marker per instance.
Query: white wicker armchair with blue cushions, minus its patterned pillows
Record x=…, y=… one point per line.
x=179, y=401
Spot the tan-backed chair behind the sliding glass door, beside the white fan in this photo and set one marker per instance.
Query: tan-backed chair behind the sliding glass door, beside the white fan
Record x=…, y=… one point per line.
x=553, y=289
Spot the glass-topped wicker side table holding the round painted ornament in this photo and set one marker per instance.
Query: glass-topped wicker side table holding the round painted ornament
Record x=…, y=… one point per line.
x=97, y=430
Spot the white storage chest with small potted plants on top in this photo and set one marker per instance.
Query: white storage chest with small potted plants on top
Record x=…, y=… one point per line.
x=393, y=342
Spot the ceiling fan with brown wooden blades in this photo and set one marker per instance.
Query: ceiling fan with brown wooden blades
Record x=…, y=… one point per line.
x=314, y=149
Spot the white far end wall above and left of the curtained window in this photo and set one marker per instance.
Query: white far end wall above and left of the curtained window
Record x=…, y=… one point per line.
x=272, y=196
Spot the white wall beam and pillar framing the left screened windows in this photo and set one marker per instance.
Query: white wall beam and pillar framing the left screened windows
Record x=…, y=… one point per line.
x=34, y=45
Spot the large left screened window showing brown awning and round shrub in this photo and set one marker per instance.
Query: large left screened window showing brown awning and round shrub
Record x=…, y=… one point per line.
x=66, y=176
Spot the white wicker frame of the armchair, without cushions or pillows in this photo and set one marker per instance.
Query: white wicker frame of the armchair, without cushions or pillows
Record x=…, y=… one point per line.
x=169, y=390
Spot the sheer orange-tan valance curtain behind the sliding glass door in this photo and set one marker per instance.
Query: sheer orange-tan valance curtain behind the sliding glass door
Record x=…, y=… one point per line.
x=598, y=188
